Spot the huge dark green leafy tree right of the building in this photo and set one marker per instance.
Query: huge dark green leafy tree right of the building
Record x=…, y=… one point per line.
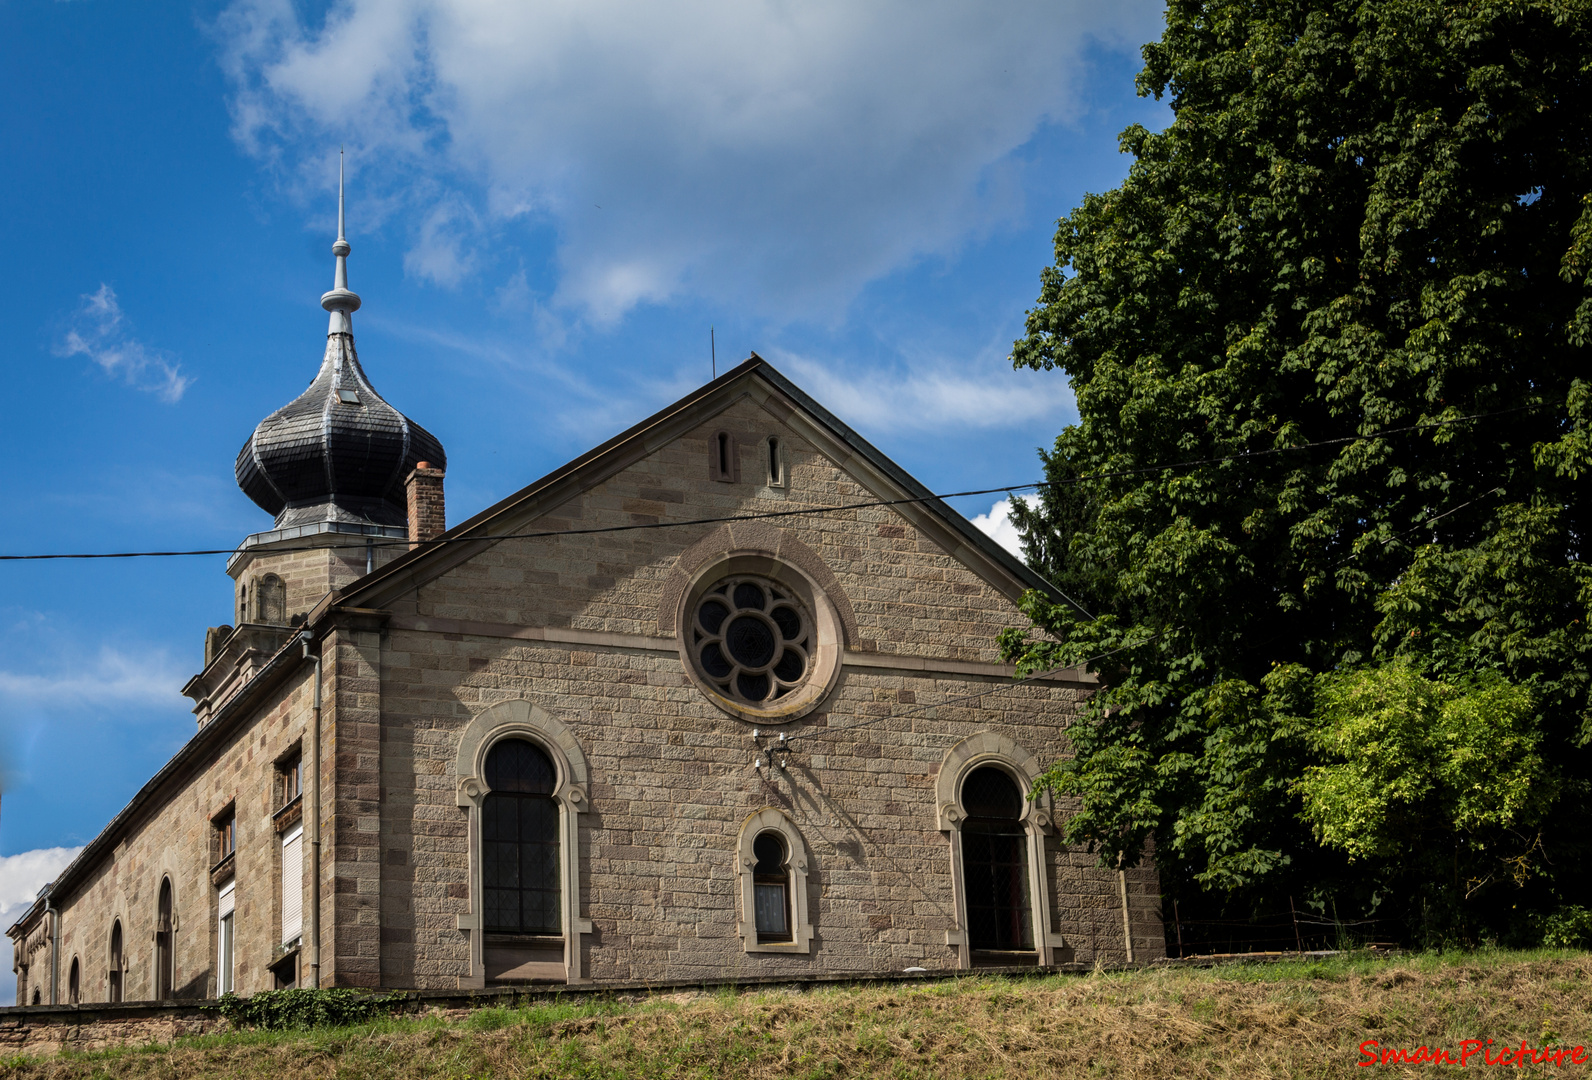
x=1365, y=224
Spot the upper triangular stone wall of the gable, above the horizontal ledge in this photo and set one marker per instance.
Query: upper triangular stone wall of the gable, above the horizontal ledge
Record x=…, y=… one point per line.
x=911, y=597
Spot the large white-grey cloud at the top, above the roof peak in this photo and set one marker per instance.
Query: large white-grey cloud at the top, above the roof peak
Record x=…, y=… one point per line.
x=771, y=154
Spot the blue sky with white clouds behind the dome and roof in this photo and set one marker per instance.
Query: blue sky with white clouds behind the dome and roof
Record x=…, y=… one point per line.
x=548, y=205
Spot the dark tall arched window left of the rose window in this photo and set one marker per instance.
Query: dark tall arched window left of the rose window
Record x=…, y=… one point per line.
x=520, y=840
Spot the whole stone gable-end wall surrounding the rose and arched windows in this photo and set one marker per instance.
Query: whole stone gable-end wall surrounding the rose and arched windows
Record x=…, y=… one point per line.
x=673, y=777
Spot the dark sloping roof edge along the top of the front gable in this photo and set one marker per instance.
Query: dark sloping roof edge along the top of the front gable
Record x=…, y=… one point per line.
x=603, y=461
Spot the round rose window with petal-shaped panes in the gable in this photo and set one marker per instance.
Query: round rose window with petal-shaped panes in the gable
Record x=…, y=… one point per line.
x=752, y=640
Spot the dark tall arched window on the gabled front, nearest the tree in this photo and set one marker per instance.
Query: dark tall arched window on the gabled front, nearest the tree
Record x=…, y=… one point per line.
x=996, y=863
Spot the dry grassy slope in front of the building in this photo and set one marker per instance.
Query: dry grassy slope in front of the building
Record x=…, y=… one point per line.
x=1279, y=1020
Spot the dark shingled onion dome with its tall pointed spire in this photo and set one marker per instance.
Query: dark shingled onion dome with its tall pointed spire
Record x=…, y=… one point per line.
x=335, y=458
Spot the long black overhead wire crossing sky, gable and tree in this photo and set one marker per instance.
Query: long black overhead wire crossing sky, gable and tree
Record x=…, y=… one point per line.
x=794, y=514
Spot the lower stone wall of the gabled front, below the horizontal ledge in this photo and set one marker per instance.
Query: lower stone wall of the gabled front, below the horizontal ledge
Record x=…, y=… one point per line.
x=671, y=785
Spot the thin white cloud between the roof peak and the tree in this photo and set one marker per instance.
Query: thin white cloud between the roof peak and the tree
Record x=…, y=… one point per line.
x=932, y=394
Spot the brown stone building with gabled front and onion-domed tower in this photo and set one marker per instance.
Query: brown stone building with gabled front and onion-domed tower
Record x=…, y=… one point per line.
x=717, y=700
